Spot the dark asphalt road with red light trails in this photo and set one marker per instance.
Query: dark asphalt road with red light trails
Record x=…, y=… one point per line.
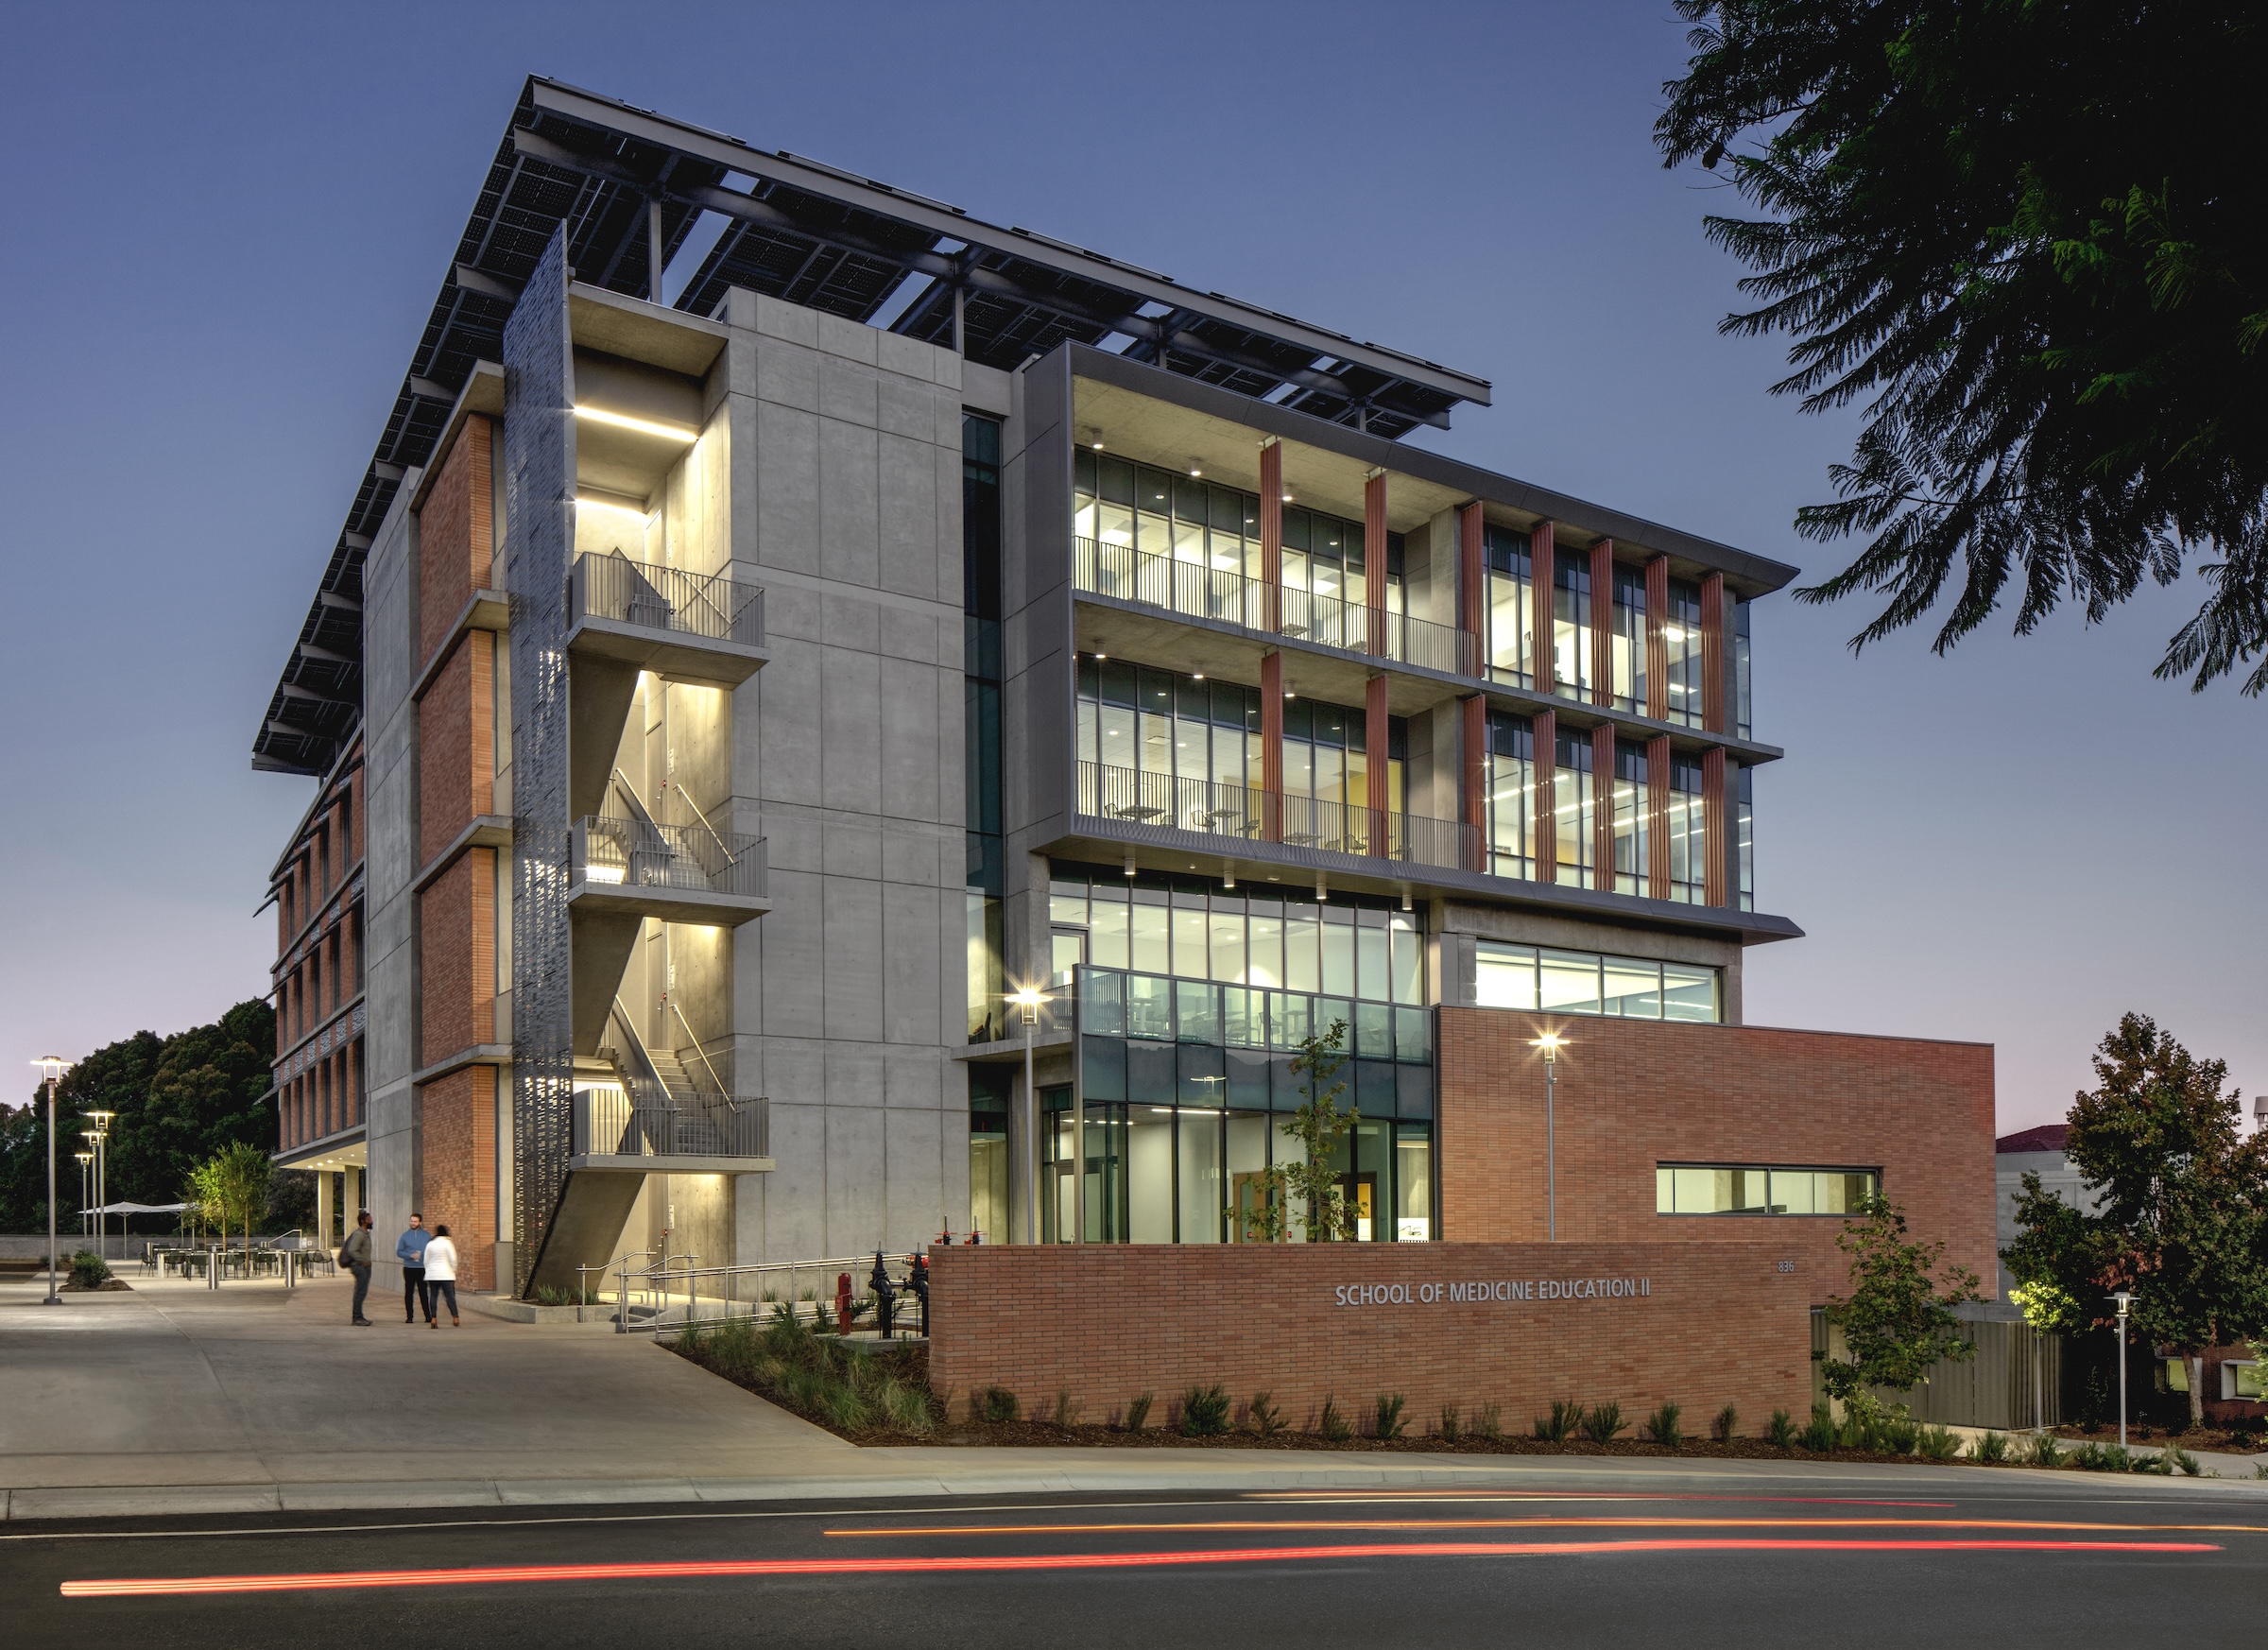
x=1947, y=1563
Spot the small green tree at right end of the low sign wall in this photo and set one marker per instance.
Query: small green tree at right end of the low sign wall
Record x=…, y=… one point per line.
x=1899, y=1318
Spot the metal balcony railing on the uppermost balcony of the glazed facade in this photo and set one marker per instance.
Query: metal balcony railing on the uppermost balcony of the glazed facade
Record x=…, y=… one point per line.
x=1196, y=590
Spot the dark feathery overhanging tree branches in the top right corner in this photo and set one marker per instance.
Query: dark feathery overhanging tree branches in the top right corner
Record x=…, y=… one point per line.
x=2026, y=241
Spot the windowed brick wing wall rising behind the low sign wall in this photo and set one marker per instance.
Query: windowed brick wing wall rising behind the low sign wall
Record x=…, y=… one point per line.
x=1636, y=1094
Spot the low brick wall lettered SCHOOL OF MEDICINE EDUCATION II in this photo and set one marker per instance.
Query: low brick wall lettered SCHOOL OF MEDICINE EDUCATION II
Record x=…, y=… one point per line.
x=1103, y=1322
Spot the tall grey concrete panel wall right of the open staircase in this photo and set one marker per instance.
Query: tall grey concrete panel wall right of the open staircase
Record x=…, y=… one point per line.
x=847, y=756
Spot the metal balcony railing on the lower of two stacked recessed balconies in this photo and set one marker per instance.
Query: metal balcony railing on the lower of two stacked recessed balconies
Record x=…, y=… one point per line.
x=1264, y=817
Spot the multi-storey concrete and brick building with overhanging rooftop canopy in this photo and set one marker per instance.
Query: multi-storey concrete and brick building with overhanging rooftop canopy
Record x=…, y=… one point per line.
x=788, y=618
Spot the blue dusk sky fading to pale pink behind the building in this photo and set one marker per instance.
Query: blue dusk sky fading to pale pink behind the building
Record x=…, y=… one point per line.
x=228, y=223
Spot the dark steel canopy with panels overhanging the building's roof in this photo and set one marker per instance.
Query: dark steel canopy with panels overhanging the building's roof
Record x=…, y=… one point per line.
x=815, y=237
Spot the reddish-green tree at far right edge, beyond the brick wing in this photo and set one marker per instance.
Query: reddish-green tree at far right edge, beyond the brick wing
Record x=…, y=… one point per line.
x=2183, y=1202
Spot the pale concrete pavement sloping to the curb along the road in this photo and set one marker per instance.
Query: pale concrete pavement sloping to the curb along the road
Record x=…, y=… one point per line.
x=255, y=1400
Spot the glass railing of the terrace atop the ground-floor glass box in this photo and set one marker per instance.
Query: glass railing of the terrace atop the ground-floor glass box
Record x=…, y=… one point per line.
x=1205, y=1012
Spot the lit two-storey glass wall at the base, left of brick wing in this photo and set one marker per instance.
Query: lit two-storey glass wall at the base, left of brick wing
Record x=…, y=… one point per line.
x=1192, y=1012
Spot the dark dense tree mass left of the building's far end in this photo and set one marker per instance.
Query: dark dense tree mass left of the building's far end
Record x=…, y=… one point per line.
x=178, y=1100
